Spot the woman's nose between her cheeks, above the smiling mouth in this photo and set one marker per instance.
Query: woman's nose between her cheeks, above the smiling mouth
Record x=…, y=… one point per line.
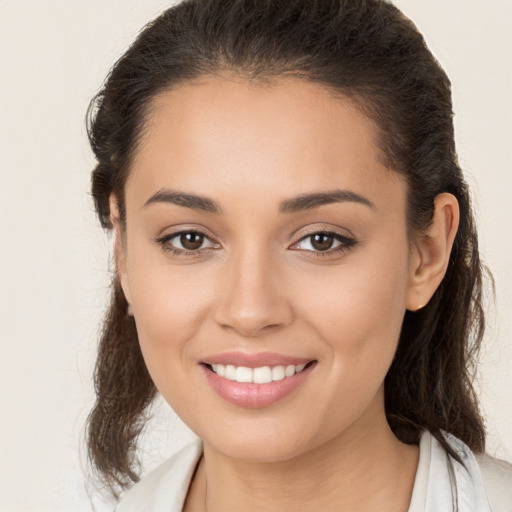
x=253, y=300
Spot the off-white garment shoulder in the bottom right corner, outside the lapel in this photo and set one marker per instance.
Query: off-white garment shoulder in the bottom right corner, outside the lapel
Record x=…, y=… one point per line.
x=497, y=476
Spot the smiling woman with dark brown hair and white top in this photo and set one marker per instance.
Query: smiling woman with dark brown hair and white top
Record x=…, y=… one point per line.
x=297, y=265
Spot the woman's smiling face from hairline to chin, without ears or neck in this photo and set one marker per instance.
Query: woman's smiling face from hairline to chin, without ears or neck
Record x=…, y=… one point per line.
x=264, y=231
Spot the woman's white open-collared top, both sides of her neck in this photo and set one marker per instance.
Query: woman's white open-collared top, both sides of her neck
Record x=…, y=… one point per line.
x=483, y=485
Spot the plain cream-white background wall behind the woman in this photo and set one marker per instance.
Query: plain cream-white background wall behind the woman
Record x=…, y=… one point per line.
x=54, y=258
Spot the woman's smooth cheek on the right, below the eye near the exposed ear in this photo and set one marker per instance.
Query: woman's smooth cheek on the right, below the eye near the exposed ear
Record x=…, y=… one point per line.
x=357, y=313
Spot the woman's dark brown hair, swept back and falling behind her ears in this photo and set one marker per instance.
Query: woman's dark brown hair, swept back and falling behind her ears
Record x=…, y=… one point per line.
x=365, y=50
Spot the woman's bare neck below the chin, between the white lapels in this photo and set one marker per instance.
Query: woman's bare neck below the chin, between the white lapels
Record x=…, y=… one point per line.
x=363, y=469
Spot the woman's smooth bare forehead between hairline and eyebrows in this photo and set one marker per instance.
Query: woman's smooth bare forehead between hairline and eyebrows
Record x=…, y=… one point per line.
x=278, y=139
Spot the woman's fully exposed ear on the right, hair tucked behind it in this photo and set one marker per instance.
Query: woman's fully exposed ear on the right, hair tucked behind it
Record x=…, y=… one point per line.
x=431, y=252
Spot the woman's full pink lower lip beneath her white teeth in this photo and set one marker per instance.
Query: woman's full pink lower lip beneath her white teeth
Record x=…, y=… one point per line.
x=254, y=396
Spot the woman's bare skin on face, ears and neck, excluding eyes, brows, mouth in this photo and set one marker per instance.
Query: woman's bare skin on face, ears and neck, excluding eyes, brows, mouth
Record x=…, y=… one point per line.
x=257, y=283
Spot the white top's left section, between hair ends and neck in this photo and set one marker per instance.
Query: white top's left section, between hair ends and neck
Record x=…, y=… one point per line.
x=165, y=487
